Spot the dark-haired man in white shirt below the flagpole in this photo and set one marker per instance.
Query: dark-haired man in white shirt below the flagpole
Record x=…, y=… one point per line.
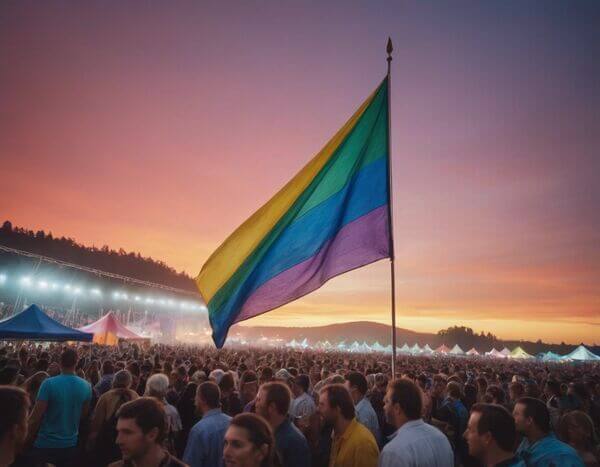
x=414, y=443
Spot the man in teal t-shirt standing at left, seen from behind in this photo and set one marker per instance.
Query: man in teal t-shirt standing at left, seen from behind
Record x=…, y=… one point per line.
x=61, y=403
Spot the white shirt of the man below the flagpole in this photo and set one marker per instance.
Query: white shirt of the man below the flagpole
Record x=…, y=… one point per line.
x=417, y=444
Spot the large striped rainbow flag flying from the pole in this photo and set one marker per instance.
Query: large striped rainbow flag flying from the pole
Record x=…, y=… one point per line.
x=332, y=217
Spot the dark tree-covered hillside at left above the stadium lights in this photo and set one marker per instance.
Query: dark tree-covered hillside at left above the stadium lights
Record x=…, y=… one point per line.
x=104, y=258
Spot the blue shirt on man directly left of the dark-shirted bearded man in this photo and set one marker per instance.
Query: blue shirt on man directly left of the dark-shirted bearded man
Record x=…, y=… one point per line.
x=205, y=441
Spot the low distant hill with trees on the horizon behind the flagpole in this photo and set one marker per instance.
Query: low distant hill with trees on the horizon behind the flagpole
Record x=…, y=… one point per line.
x=371, y=332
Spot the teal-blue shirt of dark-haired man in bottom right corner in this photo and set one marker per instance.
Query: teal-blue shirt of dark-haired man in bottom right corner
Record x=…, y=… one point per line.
x=548, y=452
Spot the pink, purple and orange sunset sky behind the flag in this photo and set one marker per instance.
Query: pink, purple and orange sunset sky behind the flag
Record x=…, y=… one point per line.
x=160, y=126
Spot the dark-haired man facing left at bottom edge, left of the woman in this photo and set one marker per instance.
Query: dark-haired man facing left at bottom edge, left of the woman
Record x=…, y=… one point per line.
x=141, y=431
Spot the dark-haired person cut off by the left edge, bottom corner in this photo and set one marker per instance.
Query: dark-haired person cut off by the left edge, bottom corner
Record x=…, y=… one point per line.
x=14, y=403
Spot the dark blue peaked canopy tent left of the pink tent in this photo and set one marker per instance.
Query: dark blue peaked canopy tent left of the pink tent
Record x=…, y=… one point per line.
x=34, y=324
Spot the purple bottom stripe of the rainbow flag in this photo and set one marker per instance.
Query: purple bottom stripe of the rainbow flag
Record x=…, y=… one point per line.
x=358, y=243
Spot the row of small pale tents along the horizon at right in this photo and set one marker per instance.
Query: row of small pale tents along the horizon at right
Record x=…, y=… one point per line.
x=581, y=353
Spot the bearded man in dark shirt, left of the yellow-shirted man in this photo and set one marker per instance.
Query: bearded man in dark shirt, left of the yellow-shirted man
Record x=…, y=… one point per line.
x=273, y=404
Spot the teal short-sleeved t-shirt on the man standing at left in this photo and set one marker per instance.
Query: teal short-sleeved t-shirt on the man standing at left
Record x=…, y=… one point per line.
x=65, y=395
